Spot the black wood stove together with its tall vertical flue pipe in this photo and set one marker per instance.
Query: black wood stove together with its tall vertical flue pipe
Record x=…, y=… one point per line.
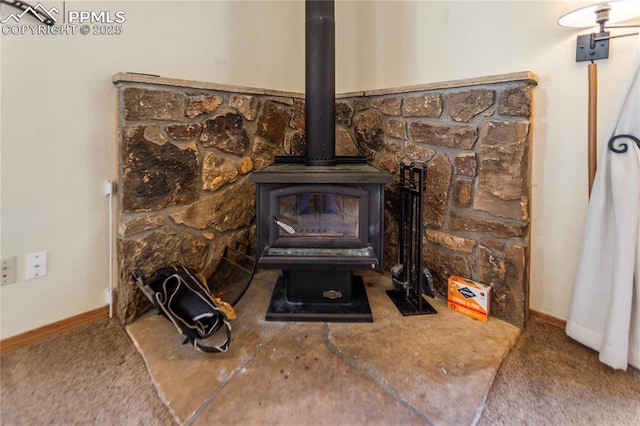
x=320, y=217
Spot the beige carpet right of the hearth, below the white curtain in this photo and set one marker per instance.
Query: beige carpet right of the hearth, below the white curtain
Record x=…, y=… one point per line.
x=550, y=379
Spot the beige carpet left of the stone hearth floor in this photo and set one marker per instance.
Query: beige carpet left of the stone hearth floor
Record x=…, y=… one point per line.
x=91, y=375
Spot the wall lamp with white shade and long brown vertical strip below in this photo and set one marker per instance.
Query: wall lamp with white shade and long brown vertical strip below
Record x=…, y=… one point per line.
x=594, y=46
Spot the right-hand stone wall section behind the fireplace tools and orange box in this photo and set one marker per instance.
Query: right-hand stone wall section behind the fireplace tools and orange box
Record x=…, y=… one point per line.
x=475, y=143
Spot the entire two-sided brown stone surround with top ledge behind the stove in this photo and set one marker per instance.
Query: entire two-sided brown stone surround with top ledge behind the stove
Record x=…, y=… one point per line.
x=186, y=149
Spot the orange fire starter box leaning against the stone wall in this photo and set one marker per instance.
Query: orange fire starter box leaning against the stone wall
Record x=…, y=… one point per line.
x=469, y=297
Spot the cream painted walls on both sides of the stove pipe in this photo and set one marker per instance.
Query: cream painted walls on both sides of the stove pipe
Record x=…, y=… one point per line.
x=58, y=115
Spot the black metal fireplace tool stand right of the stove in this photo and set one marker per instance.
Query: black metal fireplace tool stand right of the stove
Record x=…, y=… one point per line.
x=410, y=278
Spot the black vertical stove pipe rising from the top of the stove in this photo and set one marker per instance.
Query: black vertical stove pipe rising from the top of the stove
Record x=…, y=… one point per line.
x=320, y=95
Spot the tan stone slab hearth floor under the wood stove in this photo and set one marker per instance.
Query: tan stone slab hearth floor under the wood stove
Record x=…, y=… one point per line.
x=428, y=369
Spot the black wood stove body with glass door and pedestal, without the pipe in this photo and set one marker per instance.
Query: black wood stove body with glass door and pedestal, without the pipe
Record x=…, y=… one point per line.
x=319, y=224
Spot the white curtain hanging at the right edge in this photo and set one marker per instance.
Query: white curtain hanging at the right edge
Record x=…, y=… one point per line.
x=605, y=309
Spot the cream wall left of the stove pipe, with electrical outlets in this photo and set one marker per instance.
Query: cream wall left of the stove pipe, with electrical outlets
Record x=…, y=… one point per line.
x=58, y=128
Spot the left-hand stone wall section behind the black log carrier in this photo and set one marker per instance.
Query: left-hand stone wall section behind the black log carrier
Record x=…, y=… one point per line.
x=184, y=160
